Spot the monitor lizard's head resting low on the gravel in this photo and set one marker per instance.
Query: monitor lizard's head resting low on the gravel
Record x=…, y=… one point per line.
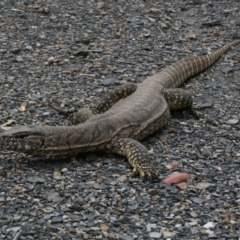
x=26, y=139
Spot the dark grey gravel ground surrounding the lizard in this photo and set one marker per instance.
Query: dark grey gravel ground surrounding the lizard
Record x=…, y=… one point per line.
x=76, y=51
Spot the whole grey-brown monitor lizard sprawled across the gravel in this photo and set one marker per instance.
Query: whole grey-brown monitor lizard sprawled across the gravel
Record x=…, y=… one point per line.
x=120, y=119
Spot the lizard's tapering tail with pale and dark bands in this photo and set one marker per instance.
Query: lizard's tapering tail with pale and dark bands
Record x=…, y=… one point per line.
x=174, y=75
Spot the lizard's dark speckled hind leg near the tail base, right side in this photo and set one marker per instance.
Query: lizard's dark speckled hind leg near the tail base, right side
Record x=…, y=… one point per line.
x=179, y=99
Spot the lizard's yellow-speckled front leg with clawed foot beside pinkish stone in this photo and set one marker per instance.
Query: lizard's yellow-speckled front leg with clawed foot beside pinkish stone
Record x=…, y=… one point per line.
x=137, y=156
